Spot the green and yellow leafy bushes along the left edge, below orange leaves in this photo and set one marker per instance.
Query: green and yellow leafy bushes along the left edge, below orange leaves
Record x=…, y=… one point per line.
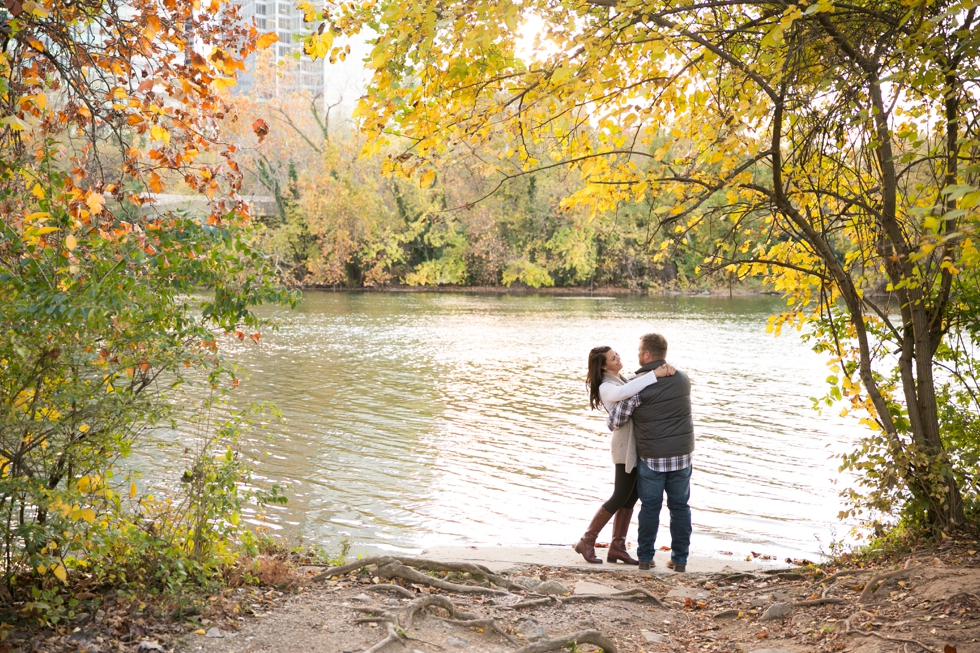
x=100, y=331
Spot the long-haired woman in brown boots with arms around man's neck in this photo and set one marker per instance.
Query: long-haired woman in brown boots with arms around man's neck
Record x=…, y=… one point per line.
x=607, y=387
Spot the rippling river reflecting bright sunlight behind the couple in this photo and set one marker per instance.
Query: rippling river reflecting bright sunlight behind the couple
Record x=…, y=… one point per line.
x=417, y=419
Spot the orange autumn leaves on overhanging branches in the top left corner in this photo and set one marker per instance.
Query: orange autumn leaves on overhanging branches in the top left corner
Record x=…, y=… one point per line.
x=151, y=122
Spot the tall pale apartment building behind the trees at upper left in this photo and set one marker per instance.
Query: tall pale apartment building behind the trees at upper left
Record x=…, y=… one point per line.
x=301, y=73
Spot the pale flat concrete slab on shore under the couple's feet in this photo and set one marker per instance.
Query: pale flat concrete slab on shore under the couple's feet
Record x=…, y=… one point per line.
x=502, y=558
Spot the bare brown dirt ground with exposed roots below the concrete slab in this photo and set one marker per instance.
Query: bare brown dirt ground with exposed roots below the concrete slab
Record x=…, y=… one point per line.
x=932, y=603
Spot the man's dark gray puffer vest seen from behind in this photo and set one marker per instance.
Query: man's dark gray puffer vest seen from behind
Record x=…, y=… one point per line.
x=662, y=423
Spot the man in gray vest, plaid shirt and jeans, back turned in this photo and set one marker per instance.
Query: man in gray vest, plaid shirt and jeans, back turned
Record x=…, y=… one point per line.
x=664, y=432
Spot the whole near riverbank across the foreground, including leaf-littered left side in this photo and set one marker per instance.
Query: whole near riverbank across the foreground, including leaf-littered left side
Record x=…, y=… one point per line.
x=925, y=600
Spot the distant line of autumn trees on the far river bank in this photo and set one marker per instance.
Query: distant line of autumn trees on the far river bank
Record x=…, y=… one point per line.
x=342, y=221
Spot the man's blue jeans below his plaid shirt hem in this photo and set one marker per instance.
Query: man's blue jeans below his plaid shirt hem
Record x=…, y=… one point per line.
x=651, y=487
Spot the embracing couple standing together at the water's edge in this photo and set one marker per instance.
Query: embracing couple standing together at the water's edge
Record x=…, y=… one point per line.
x=652, y=443
